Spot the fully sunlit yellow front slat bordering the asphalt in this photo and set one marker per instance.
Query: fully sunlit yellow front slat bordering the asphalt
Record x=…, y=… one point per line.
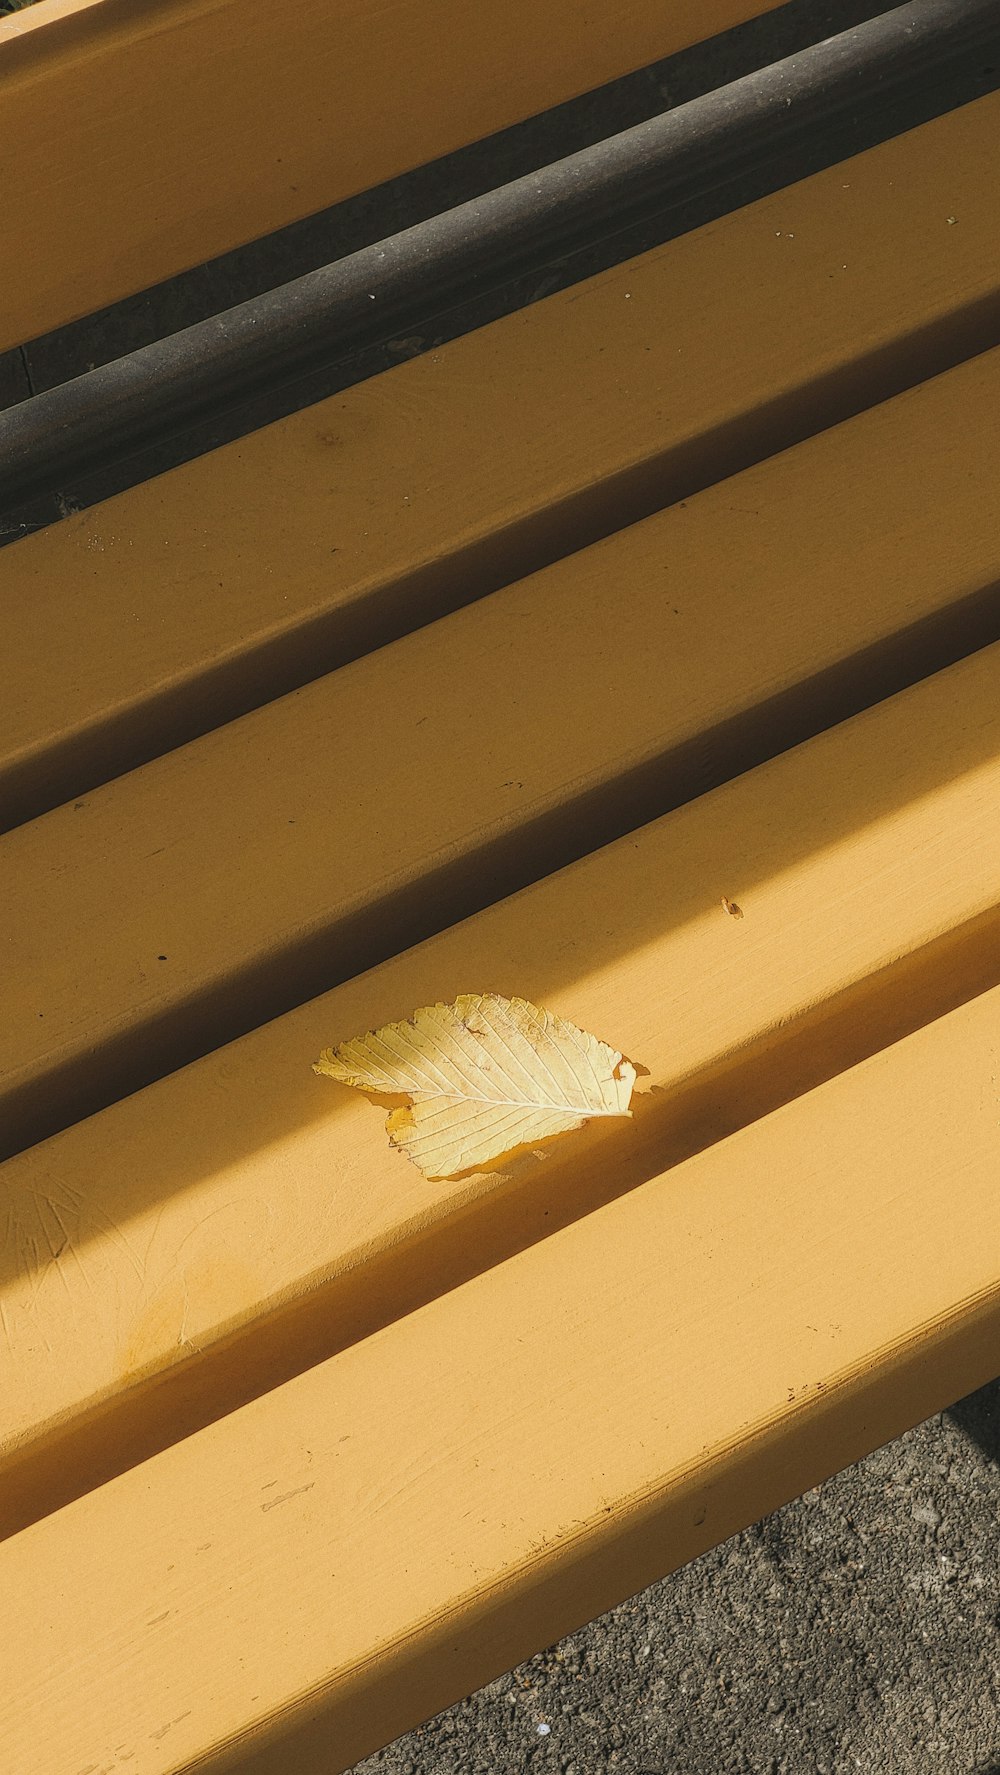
x=306, y=1579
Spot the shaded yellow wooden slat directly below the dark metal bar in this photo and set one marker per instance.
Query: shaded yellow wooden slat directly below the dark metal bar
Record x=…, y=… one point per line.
x=139, y=624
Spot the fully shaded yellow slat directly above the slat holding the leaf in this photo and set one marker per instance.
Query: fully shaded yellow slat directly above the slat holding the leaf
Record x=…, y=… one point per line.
x=242, y=874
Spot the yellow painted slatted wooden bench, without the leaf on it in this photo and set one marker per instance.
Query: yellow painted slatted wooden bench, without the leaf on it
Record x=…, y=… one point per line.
x=511, y=670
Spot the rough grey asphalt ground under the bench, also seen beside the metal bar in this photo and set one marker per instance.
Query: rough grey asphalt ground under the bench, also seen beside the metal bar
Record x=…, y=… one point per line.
x=859, y=1629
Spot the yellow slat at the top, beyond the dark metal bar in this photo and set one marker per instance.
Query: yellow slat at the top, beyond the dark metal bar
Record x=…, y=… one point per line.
x=191, y=127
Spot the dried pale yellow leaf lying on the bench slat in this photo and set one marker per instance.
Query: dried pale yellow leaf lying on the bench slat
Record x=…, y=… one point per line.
x=484, y=1077
